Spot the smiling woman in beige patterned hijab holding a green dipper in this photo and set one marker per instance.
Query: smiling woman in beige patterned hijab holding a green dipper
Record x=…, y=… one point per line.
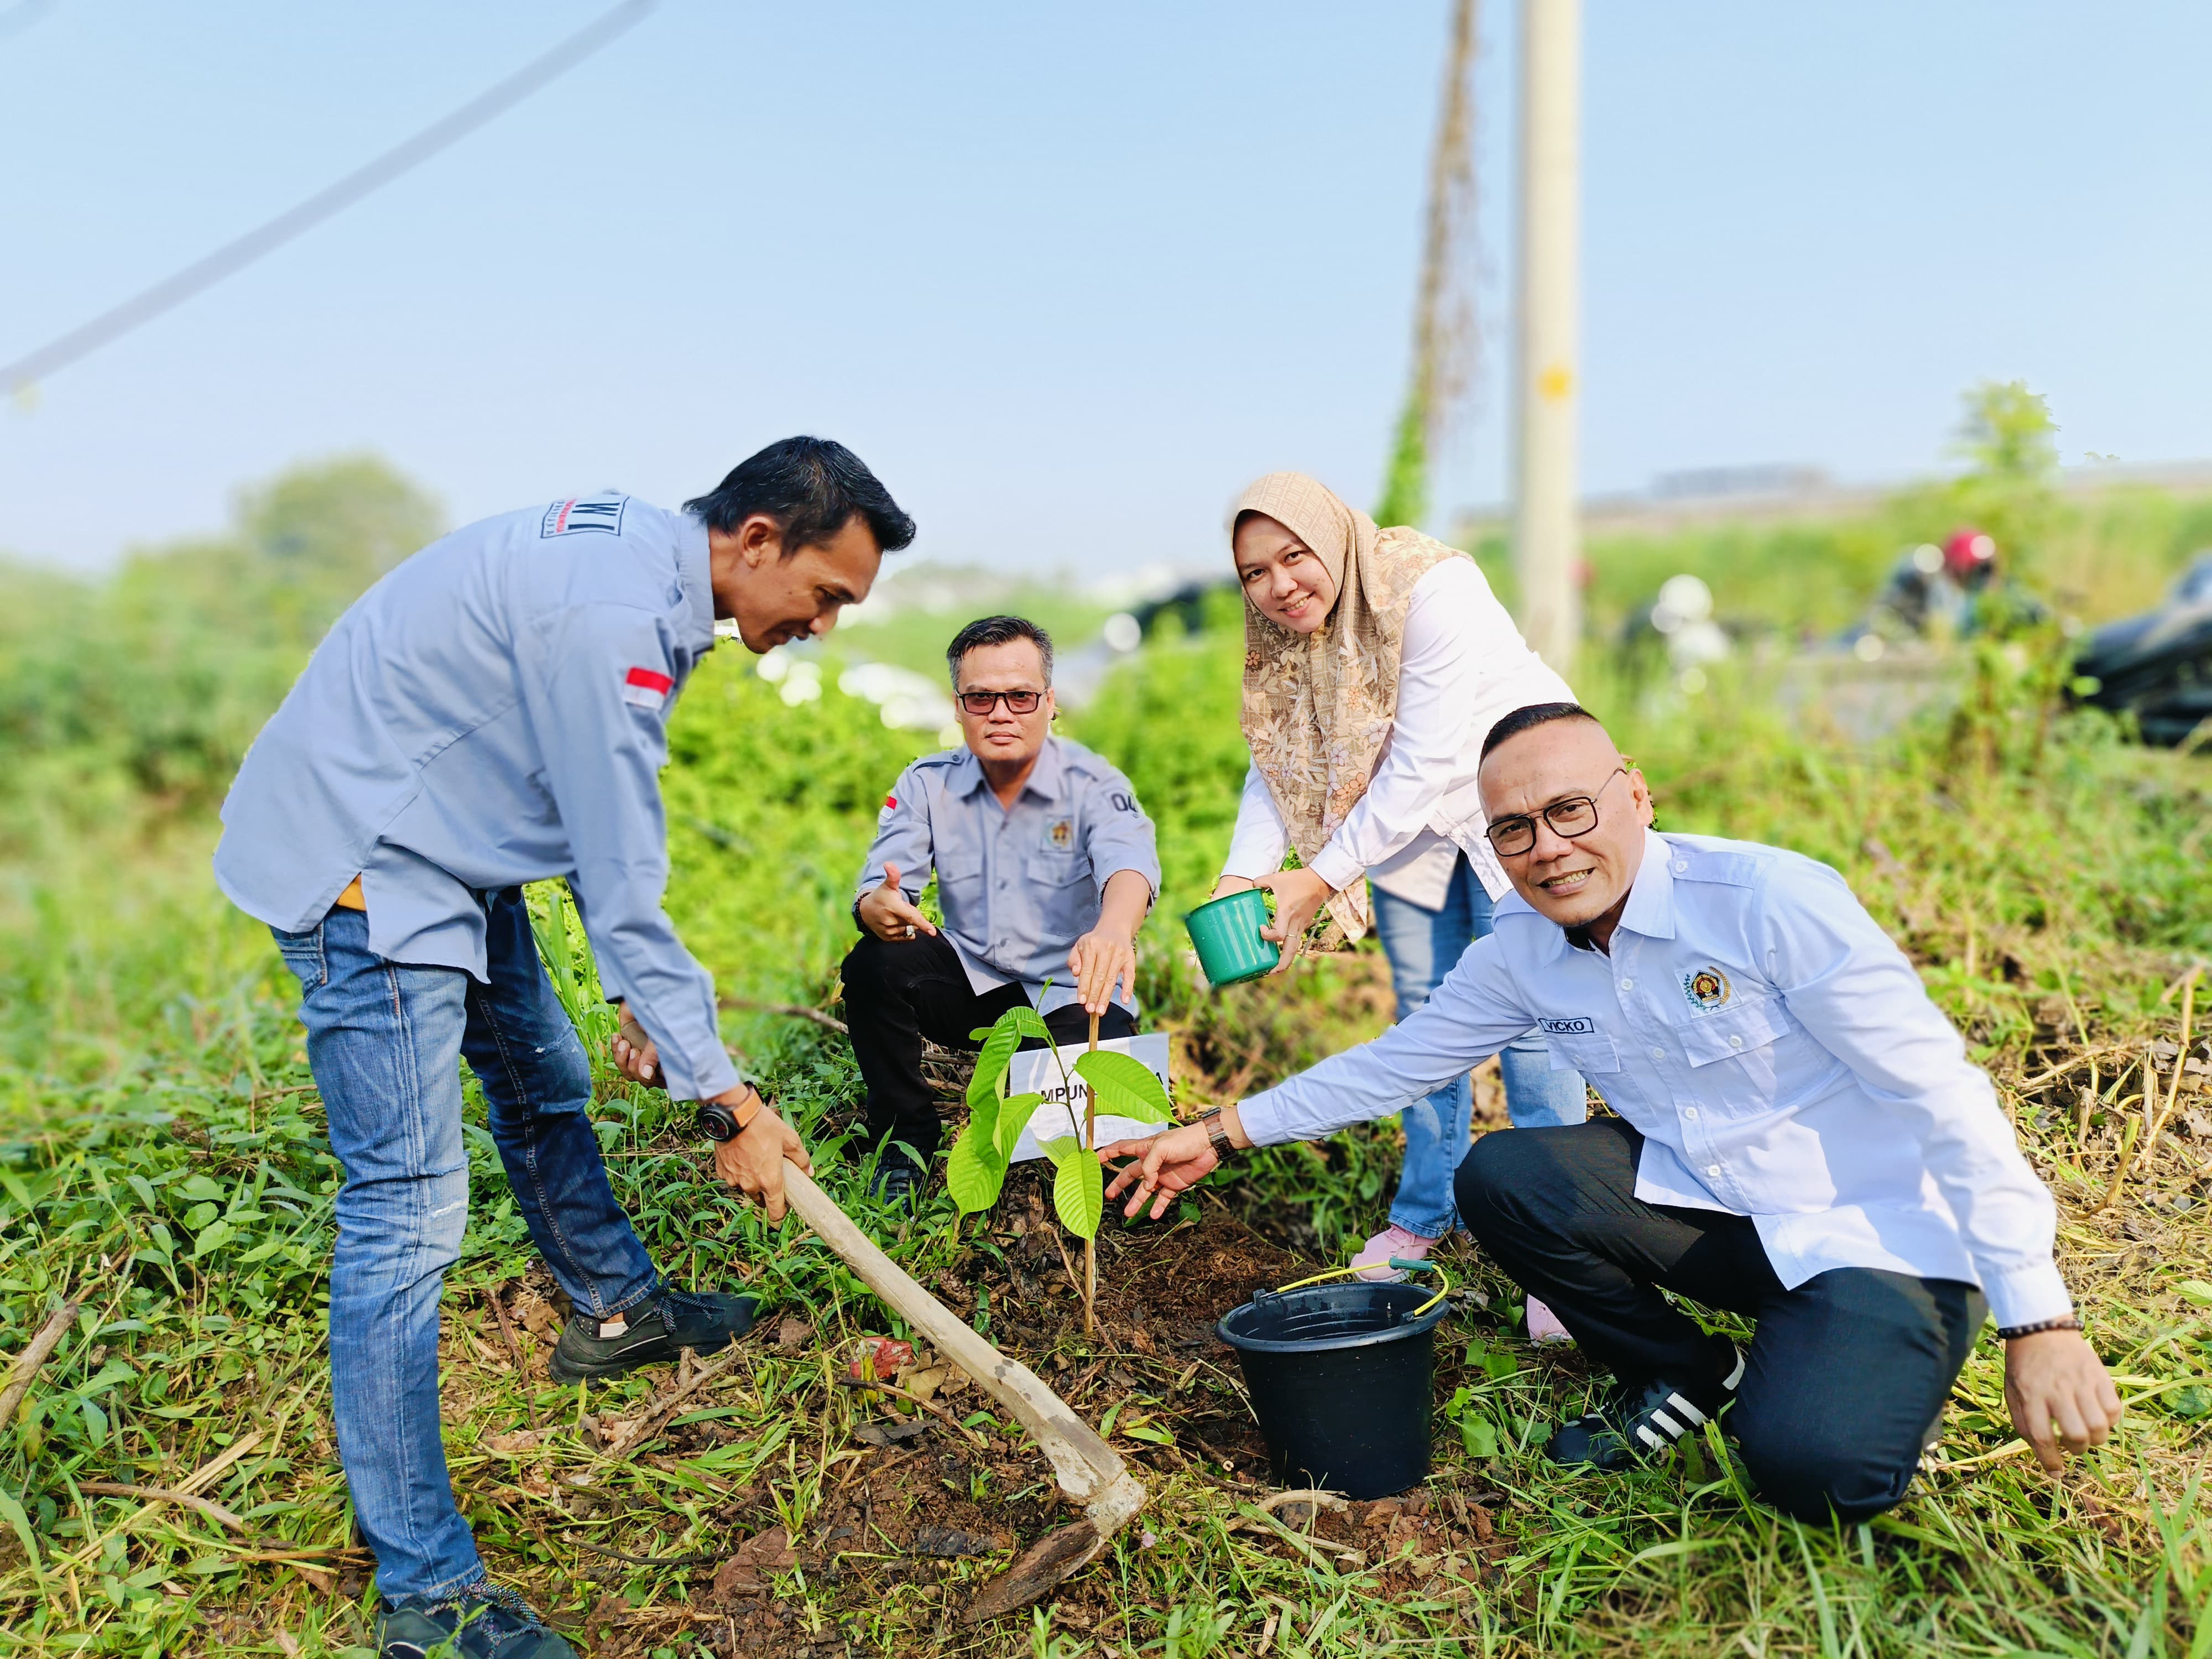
x=1375, y=667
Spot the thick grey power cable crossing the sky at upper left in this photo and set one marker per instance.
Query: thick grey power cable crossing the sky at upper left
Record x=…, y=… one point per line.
x=225, y=262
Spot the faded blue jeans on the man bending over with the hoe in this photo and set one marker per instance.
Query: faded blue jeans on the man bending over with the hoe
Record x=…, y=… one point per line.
x=386, y=1041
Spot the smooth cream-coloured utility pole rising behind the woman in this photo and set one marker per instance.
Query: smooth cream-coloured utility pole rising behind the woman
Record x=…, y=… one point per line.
x=1547, y=534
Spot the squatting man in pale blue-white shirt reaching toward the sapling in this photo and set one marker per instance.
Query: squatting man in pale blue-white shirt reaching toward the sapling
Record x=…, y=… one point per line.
x=1802, y=1140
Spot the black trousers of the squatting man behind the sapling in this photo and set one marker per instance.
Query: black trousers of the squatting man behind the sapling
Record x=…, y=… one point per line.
x=899, y=992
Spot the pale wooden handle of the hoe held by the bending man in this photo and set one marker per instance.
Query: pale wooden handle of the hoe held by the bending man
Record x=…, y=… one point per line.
x=1087, y=1468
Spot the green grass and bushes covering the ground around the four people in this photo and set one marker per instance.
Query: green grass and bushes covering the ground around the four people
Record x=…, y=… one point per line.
x=163, y=1158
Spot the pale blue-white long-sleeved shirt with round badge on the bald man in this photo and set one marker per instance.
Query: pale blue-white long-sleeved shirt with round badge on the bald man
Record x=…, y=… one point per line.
x=1777, y=1052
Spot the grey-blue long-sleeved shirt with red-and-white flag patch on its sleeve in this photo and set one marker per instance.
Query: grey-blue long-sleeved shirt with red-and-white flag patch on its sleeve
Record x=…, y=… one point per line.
x=497, y=711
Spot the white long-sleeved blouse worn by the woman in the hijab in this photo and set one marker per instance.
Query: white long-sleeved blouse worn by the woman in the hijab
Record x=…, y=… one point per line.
x=1461, y=669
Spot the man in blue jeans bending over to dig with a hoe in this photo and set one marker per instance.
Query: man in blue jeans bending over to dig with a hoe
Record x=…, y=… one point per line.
x=494, y=711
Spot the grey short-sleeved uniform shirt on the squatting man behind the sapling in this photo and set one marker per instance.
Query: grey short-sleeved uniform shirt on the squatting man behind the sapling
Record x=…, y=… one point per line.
x=1023, y=884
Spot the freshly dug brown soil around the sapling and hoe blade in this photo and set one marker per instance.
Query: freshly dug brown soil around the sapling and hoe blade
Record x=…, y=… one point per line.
x=926, y=1510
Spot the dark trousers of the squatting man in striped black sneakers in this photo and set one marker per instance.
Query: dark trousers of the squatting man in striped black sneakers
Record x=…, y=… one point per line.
x=1846, y=1373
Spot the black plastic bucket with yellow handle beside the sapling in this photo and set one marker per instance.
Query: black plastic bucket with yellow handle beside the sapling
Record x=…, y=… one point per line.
x=1339, y=1381
